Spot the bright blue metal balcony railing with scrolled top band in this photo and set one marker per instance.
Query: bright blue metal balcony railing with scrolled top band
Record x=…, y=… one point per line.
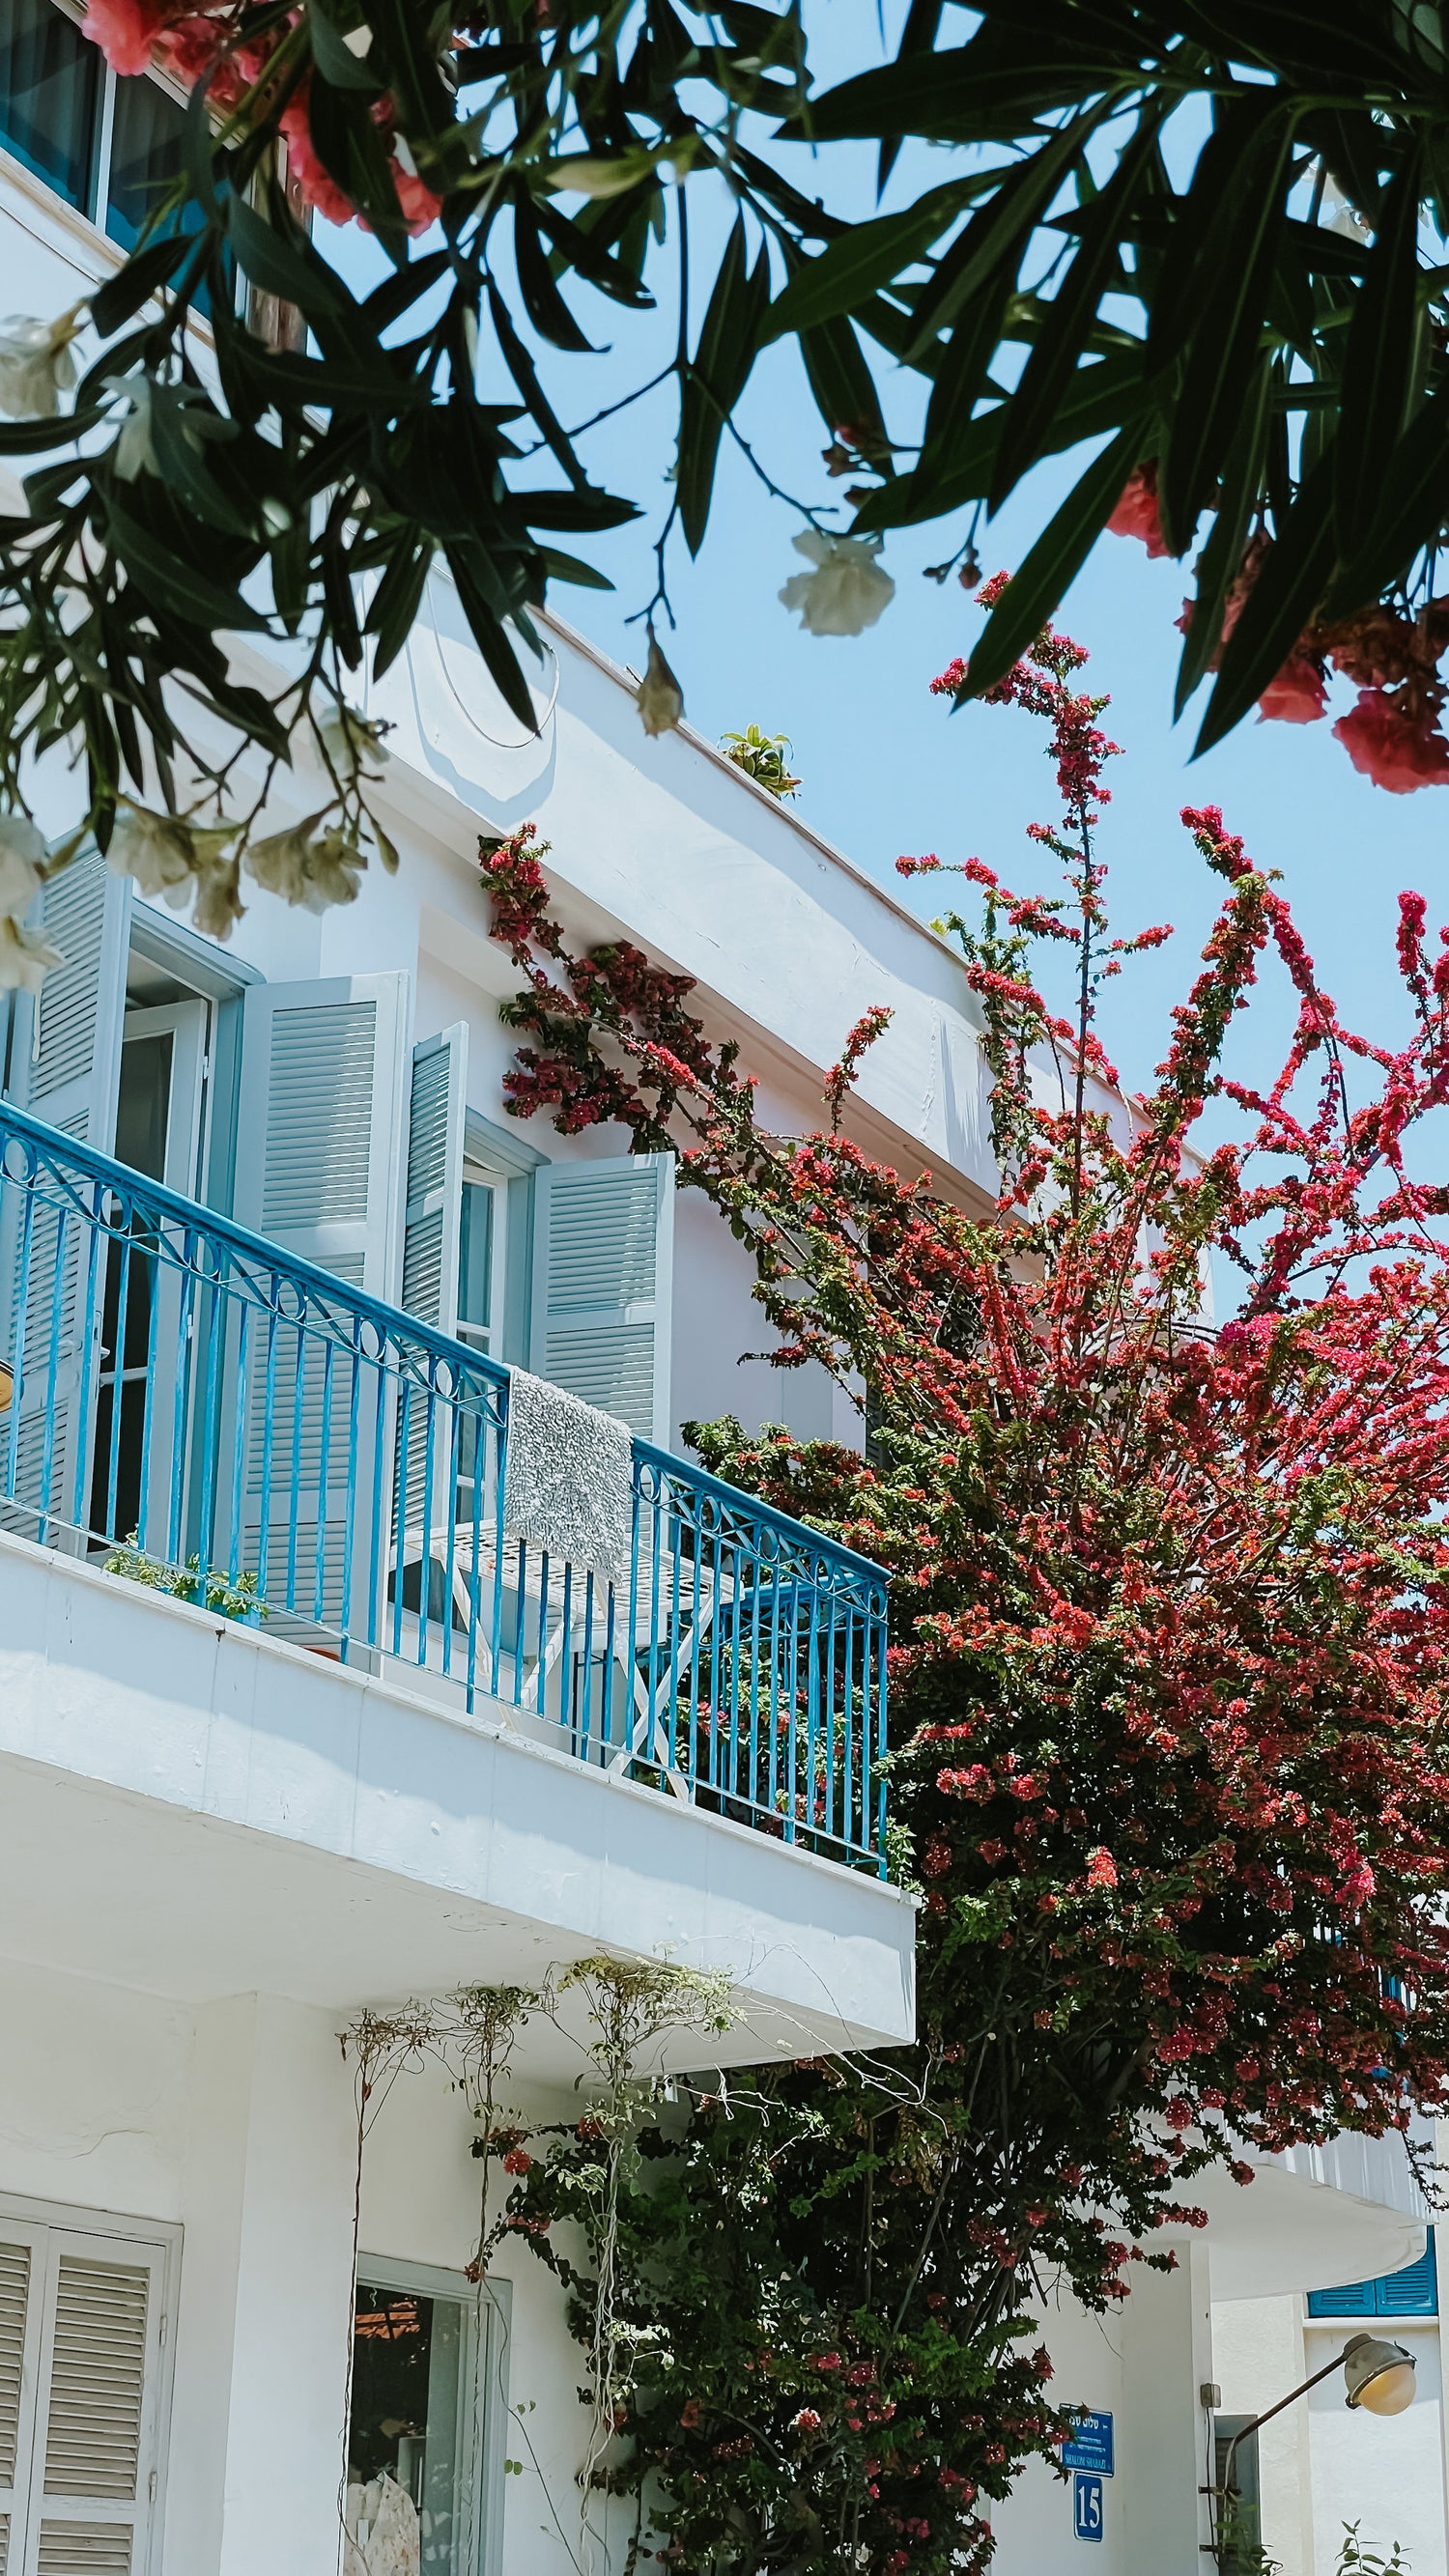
x=202, y=1410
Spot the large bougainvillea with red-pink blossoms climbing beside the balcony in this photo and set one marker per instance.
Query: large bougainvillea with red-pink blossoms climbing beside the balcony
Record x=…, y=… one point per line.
x=1169, y=1676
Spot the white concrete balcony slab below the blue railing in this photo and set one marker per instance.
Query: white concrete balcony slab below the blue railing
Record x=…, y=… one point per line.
x=200, y=1810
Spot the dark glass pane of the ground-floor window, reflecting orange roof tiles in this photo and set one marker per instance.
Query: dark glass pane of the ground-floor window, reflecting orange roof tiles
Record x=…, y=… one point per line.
x=406, y=2469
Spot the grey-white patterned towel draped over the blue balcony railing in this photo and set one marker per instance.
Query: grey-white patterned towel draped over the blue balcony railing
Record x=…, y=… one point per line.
x=569, y=1480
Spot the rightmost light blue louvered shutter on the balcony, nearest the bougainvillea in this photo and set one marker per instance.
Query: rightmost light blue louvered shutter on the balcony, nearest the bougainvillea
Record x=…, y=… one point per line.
x=602, y=1287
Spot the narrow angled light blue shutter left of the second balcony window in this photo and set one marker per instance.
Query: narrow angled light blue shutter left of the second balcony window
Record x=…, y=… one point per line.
x=432, y=1227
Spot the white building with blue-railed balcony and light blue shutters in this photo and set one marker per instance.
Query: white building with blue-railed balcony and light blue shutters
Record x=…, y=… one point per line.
x=269, y=1245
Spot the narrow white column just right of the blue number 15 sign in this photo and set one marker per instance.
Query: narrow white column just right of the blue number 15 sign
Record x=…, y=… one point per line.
x=1162, y=2451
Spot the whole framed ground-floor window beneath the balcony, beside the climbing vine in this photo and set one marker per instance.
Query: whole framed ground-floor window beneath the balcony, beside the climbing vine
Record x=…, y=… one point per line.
x=427, y=2423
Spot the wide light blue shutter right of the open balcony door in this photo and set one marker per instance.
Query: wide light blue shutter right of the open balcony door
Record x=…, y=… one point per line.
x=318, y=1173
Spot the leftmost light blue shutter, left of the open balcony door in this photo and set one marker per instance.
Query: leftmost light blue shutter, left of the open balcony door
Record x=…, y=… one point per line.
x=66, y=1068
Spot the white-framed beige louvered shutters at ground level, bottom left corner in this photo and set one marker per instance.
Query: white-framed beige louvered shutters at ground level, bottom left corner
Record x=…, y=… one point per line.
x=81, y=2387
